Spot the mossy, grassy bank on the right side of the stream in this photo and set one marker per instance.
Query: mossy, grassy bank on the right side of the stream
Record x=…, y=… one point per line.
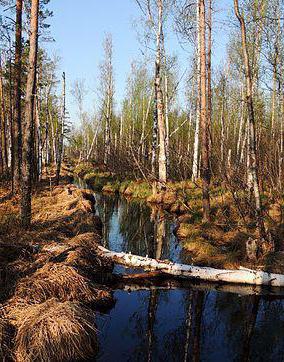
x=220, y=243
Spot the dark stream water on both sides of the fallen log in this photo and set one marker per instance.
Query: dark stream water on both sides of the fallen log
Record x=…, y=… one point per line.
x=186, y=324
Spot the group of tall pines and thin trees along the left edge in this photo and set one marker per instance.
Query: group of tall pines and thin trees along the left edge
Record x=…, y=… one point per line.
x=33, y=111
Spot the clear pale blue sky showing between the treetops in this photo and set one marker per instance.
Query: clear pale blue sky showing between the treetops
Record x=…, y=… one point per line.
x=79, y=28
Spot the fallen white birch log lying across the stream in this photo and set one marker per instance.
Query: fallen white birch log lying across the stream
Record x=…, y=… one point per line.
x=240, y=276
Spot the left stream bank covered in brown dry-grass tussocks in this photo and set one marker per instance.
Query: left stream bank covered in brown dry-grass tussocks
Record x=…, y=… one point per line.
x=51, y=276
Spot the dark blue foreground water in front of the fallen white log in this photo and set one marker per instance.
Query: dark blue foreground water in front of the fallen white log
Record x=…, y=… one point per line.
x=188, y=325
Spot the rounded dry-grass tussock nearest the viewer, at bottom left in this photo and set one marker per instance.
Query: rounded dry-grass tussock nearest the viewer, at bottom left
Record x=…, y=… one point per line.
x=56, y=332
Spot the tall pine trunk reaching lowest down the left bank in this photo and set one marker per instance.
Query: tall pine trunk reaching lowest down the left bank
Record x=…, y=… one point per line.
x=29, y=118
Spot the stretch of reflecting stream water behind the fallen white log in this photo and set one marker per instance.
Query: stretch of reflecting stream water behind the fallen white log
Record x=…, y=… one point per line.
x=135, y=227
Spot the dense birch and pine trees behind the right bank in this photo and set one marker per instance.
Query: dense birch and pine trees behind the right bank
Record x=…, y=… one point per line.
x=231, y=126
